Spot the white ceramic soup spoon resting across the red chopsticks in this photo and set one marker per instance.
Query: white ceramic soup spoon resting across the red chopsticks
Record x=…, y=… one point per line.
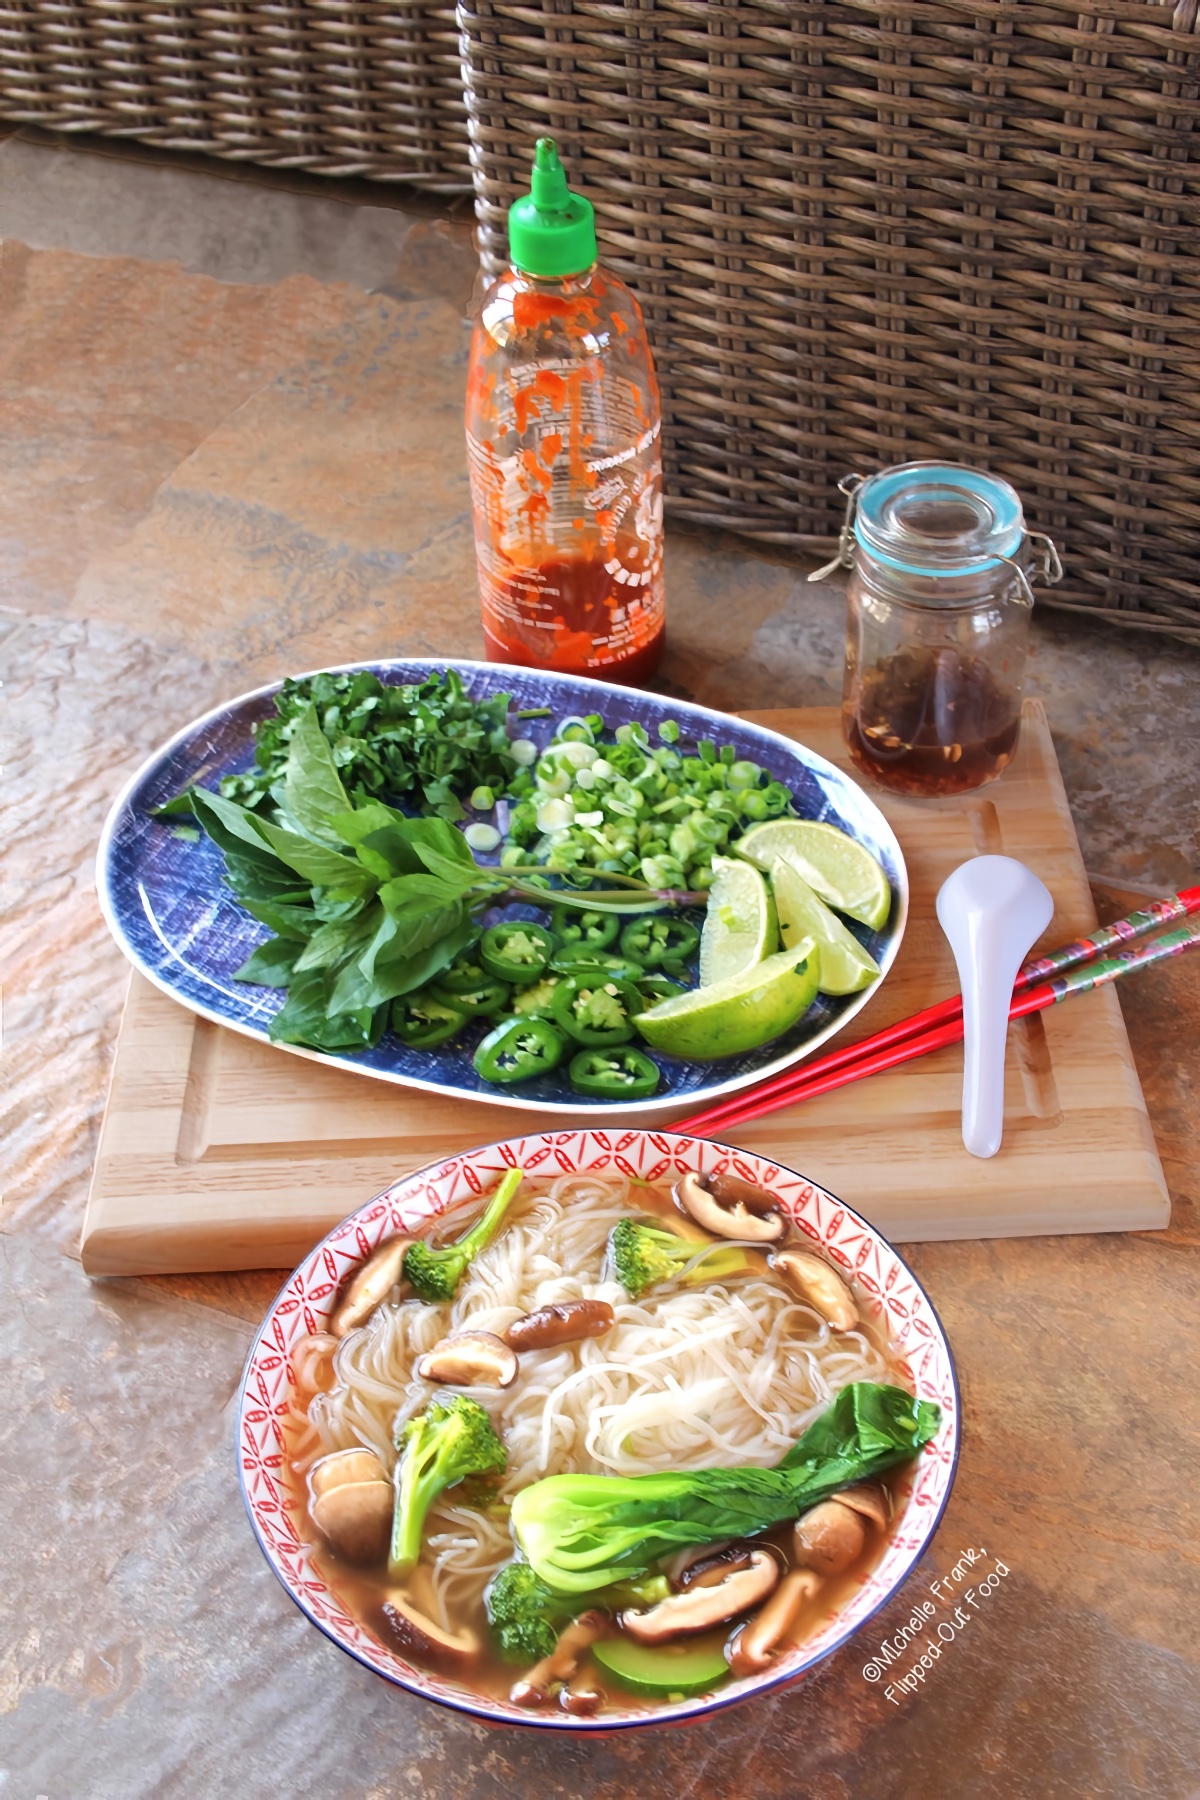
x=992, y=910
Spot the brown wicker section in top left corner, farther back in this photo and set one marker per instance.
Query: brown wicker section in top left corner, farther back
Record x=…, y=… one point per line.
x=318, y=85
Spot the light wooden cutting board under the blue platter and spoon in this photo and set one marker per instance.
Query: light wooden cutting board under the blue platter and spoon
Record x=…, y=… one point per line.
x=220, y=1153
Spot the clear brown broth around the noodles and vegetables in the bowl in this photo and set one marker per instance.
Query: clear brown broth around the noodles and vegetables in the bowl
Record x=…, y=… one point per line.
x=364, y=1590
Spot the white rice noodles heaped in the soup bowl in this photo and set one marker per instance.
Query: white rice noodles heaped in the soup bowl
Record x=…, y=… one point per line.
x=686, y=1380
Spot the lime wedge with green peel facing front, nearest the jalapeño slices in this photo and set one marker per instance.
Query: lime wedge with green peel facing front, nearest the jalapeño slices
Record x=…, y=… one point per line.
x=739, y=1014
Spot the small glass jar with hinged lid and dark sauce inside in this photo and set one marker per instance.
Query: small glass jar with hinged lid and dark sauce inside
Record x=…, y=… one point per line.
x=940, y=600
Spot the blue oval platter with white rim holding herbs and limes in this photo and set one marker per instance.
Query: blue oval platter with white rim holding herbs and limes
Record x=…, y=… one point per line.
x=181, y=926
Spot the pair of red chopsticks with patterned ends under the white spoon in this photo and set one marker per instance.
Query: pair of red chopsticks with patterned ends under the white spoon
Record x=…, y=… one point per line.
x=1073, y=969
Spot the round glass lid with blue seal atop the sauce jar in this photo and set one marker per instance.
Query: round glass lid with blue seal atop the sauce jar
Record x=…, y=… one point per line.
x=935, y=519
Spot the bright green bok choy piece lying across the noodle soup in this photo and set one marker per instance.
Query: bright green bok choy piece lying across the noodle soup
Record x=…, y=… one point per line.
x=584, y=1533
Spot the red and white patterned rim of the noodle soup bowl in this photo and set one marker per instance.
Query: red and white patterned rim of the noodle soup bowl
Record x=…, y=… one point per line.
x=843, y=1236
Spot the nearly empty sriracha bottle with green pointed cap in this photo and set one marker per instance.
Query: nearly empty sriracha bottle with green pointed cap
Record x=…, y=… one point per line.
x=564, y=444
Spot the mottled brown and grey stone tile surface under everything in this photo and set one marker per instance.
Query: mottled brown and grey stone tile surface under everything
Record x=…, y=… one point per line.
x=222, y=458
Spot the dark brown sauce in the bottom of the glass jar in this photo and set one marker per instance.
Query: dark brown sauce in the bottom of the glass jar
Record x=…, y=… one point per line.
x=933, y=721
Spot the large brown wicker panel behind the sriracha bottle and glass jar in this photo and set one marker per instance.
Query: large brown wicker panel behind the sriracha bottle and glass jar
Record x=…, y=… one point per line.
x=864, y=233
